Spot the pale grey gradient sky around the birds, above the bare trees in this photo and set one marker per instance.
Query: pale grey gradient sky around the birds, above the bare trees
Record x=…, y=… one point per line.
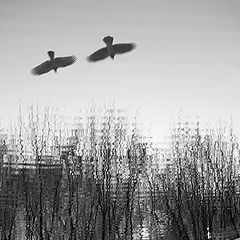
x=187, y=57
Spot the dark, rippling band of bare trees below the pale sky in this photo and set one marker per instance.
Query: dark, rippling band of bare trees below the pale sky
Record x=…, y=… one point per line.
x=103, y=180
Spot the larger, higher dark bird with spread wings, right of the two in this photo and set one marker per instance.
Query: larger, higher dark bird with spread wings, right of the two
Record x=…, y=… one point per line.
x=110, y=50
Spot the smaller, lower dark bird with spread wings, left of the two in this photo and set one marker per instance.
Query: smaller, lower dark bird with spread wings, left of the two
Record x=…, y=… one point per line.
x=53, y=64
